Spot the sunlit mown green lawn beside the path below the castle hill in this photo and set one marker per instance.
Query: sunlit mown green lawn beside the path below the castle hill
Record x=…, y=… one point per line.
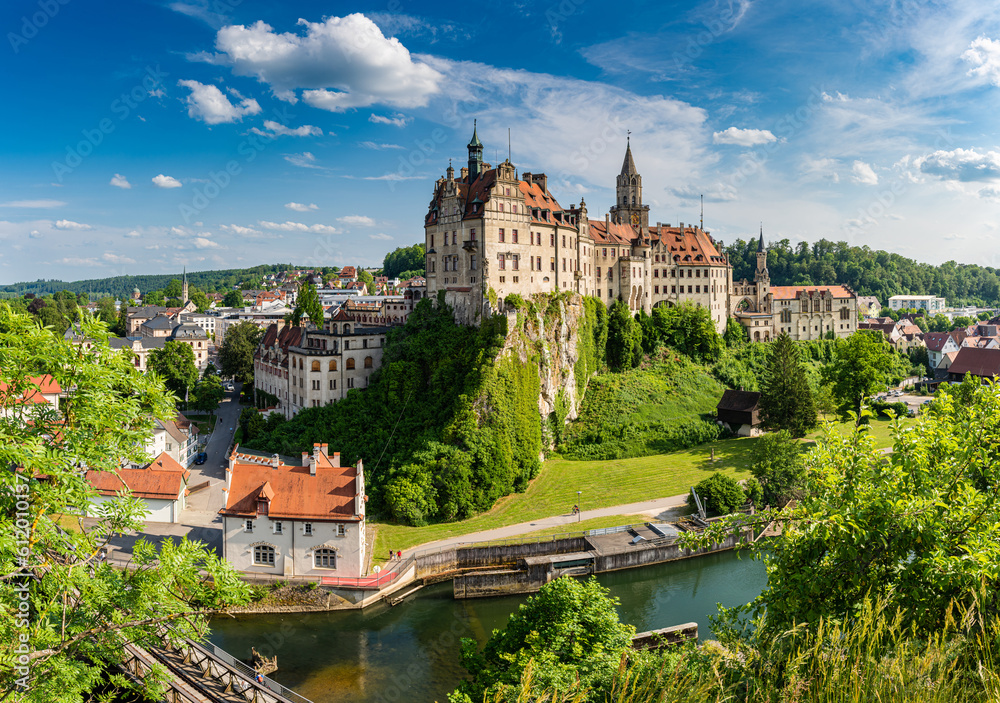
x=602, y=484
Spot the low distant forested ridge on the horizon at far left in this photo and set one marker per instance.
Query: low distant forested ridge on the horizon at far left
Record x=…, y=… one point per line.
x=122, y=286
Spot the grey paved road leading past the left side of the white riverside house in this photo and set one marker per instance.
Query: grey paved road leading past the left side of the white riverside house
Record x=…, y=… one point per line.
x=203, y=505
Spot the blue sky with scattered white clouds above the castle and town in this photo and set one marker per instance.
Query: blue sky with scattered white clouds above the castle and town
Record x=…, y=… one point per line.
x=141, y=136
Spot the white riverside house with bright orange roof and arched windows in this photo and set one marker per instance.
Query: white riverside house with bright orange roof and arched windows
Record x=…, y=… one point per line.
x=294, y=520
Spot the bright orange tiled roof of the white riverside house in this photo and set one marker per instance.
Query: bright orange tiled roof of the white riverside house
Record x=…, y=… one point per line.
x=292, y=492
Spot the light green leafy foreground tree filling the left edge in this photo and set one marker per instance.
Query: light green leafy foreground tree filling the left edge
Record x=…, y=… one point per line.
x=83, y=610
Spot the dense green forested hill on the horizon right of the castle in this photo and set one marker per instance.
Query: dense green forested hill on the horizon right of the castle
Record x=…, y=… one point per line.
x=867, y=271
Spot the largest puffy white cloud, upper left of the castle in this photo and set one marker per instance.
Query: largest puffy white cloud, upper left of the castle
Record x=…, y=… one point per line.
x=339, y=63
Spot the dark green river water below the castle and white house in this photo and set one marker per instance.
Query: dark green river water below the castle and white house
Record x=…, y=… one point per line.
x=409, y=653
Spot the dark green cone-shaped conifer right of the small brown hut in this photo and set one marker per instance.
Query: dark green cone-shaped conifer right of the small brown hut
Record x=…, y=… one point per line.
x=786, y=402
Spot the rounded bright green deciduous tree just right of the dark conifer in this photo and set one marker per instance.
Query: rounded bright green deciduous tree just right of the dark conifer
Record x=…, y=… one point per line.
x=862, y=366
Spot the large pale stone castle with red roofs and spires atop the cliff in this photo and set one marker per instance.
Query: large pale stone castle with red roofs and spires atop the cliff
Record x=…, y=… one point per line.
x=490, y=233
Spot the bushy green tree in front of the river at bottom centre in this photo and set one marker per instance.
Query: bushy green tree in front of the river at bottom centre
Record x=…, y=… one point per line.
x=570, y=635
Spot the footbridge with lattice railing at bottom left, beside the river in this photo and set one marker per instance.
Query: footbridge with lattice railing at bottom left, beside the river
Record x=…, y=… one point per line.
x=204, y=673
